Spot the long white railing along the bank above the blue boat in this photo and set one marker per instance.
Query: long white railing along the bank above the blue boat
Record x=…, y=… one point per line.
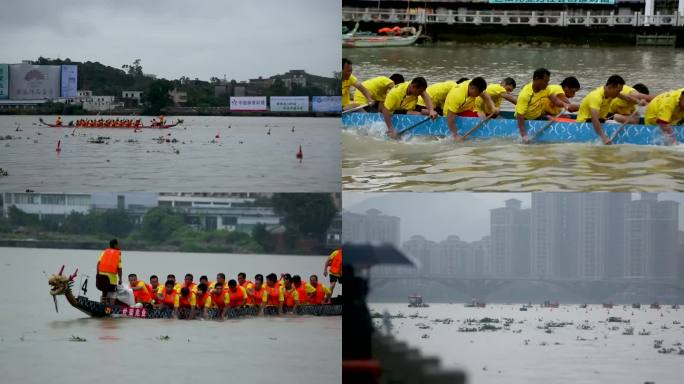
x=498, y=17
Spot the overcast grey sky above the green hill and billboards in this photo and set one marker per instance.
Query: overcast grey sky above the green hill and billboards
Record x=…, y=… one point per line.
x=241, y=39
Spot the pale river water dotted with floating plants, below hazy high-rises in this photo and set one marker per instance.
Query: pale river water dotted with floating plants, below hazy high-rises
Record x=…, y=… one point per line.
x=527, y=354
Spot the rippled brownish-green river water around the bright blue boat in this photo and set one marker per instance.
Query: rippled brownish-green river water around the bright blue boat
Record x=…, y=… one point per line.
x=372, y=163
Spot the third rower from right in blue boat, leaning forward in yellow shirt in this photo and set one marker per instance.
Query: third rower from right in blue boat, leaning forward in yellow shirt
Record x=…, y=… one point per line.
x=596, y=105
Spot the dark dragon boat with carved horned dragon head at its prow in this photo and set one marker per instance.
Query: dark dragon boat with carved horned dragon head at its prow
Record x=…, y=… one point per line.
x=62, y=285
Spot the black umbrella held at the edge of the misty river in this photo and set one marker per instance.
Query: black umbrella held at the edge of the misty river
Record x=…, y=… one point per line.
x=367, y=255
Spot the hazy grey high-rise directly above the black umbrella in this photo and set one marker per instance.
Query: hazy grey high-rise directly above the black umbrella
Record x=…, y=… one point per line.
x=372, y=227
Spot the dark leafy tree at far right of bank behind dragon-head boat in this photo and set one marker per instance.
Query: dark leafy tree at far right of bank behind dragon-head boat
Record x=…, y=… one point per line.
x=305, y=213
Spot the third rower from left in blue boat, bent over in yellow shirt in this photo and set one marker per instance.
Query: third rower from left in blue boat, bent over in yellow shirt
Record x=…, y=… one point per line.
x=402, y=99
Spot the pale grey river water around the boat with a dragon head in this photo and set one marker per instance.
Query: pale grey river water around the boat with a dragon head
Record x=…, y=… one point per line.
x=35, y=344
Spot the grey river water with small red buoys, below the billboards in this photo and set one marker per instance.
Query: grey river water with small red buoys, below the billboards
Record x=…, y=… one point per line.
x=244, y=157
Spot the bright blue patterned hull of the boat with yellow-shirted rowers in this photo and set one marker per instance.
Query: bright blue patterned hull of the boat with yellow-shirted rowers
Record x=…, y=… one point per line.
x=556, y=132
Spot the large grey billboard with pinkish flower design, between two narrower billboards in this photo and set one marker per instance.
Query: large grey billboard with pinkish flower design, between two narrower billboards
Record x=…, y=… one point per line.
x=34, y=82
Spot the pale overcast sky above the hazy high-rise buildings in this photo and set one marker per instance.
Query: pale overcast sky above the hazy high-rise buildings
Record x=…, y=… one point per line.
x=436, y=216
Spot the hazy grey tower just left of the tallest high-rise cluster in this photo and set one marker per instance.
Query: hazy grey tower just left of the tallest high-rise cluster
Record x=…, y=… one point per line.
x=510, y=240
